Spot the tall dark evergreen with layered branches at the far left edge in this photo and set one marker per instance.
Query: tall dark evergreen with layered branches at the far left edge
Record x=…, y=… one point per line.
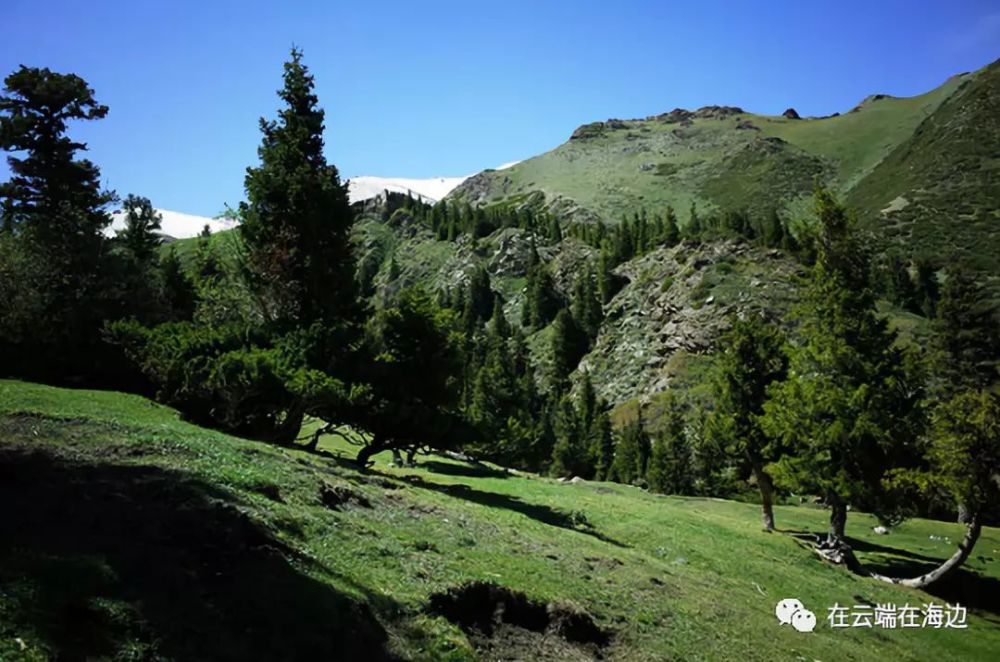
x=54, y=213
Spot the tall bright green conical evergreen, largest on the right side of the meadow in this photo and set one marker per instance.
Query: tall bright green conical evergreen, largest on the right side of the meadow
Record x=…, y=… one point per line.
x=849, y=412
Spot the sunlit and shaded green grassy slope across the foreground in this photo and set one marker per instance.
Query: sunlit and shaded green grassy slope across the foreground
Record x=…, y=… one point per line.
x=127, y=531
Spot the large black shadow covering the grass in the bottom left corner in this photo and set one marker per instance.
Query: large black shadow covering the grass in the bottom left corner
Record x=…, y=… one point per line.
x=101, y=557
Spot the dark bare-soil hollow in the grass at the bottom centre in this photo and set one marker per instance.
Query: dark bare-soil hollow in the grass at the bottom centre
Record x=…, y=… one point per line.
x=507, y=625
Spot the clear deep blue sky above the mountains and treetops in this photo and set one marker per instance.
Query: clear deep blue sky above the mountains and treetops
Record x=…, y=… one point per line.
x=424, y=89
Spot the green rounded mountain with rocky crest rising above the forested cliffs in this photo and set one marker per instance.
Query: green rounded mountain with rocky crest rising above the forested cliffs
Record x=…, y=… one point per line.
x=724, y=157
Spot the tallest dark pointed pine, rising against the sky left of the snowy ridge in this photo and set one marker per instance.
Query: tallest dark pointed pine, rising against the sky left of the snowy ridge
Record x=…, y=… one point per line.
x=297, y=222
